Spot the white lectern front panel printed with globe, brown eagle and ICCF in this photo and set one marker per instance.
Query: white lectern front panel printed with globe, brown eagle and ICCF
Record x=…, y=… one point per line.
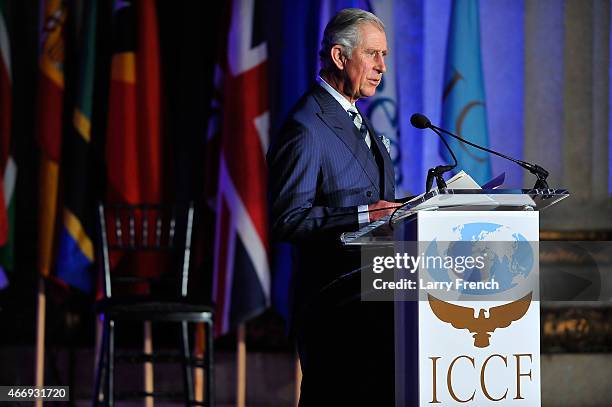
x=474, y=349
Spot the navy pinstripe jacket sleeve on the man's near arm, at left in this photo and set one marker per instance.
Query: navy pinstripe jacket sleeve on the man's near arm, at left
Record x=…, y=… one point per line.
x=298, y=212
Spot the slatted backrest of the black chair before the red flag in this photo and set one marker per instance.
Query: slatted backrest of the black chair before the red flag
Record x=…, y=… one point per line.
x=155, y=243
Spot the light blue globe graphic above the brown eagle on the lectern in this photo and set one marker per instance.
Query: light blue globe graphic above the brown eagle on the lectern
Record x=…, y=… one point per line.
x=507, y=256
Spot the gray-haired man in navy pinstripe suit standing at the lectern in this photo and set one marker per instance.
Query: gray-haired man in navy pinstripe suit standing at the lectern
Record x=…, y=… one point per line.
x=330, y=173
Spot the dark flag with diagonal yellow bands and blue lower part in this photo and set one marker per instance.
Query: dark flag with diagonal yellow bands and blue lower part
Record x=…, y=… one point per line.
x=75, y=248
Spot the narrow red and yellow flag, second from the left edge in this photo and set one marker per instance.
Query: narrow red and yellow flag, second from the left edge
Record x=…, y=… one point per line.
x=49, y=123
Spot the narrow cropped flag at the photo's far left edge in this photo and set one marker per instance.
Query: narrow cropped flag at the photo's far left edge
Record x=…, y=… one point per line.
x=8, y=168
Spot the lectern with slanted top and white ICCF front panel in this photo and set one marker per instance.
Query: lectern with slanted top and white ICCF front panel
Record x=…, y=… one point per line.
x=462, y=267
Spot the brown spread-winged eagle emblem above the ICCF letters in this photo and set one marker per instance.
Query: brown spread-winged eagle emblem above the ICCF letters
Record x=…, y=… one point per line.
x=463, y=317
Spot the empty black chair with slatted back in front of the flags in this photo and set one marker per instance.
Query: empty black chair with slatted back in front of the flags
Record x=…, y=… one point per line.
x=156, y=292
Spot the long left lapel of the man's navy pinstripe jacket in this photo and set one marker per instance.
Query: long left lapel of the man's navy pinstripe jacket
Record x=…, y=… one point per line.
x=340, y=123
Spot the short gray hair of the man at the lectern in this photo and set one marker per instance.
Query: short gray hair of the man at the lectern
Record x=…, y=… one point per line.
x=343, y=29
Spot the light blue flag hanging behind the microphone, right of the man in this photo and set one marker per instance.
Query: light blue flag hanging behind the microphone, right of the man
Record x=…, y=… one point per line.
x=463, y=100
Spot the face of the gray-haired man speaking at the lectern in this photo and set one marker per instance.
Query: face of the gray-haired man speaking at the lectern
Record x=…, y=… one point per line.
x=364, y=69
